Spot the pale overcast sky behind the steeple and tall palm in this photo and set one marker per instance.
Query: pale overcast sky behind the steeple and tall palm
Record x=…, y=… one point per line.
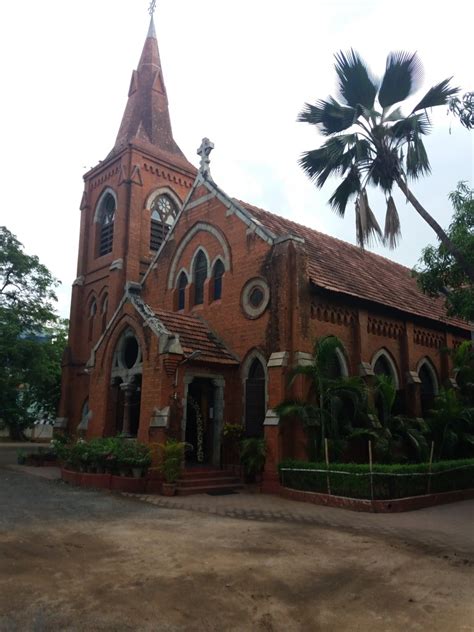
x=237, y=72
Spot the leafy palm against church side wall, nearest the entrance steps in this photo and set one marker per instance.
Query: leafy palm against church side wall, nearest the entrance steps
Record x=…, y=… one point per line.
x=325, y=415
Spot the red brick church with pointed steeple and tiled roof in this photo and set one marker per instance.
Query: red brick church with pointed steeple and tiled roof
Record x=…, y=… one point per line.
x=192, y=306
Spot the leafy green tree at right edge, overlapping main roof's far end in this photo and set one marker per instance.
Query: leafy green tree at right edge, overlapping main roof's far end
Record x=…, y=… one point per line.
x=439, y=272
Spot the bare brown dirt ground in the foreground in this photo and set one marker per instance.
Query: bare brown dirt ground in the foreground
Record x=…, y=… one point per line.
x=81, y=560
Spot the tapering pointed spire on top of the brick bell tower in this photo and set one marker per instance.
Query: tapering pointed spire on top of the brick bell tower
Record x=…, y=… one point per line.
x=146, y=120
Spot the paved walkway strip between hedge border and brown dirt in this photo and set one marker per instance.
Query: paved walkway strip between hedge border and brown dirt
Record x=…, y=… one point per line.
x=446, y=527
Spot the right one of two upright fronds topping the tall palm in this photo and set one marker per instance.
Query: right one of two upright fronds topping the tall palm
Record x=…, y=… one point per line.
x=403, y=75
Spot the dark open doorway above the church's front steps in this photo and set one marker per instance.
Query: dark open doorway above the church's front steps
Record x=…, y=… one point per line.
x=202, y=423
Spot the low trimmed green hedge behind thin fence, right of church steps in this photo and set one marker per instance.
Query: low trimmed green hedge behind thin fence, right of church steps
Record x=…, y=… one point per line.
x=389, y=481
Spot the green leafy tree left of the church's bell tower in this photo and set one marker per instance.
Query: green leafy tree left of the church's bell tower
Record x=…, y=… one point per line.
x=32, y=337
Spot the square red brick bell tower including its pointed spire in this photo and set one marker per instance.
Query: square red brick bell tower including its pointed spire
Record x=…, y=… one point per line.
x=129, y=202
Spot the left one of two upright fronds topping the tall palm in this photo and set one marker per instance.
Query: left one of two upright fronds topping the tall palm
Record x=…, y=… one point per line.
x=356, y=86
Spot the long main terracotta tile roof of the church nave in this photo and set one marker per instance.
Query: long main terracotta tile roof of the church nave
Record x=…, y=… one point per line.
x=335, y=265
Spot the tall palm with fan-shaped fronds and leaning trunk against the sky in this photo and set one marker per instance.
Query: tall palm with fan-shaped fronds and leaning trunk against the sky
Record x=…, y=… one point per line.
x=371, y=141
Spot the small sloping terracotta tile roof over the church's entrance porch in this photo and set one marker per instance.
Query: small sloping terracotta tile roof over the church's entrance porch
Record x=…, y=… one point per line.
x=195, y=335
